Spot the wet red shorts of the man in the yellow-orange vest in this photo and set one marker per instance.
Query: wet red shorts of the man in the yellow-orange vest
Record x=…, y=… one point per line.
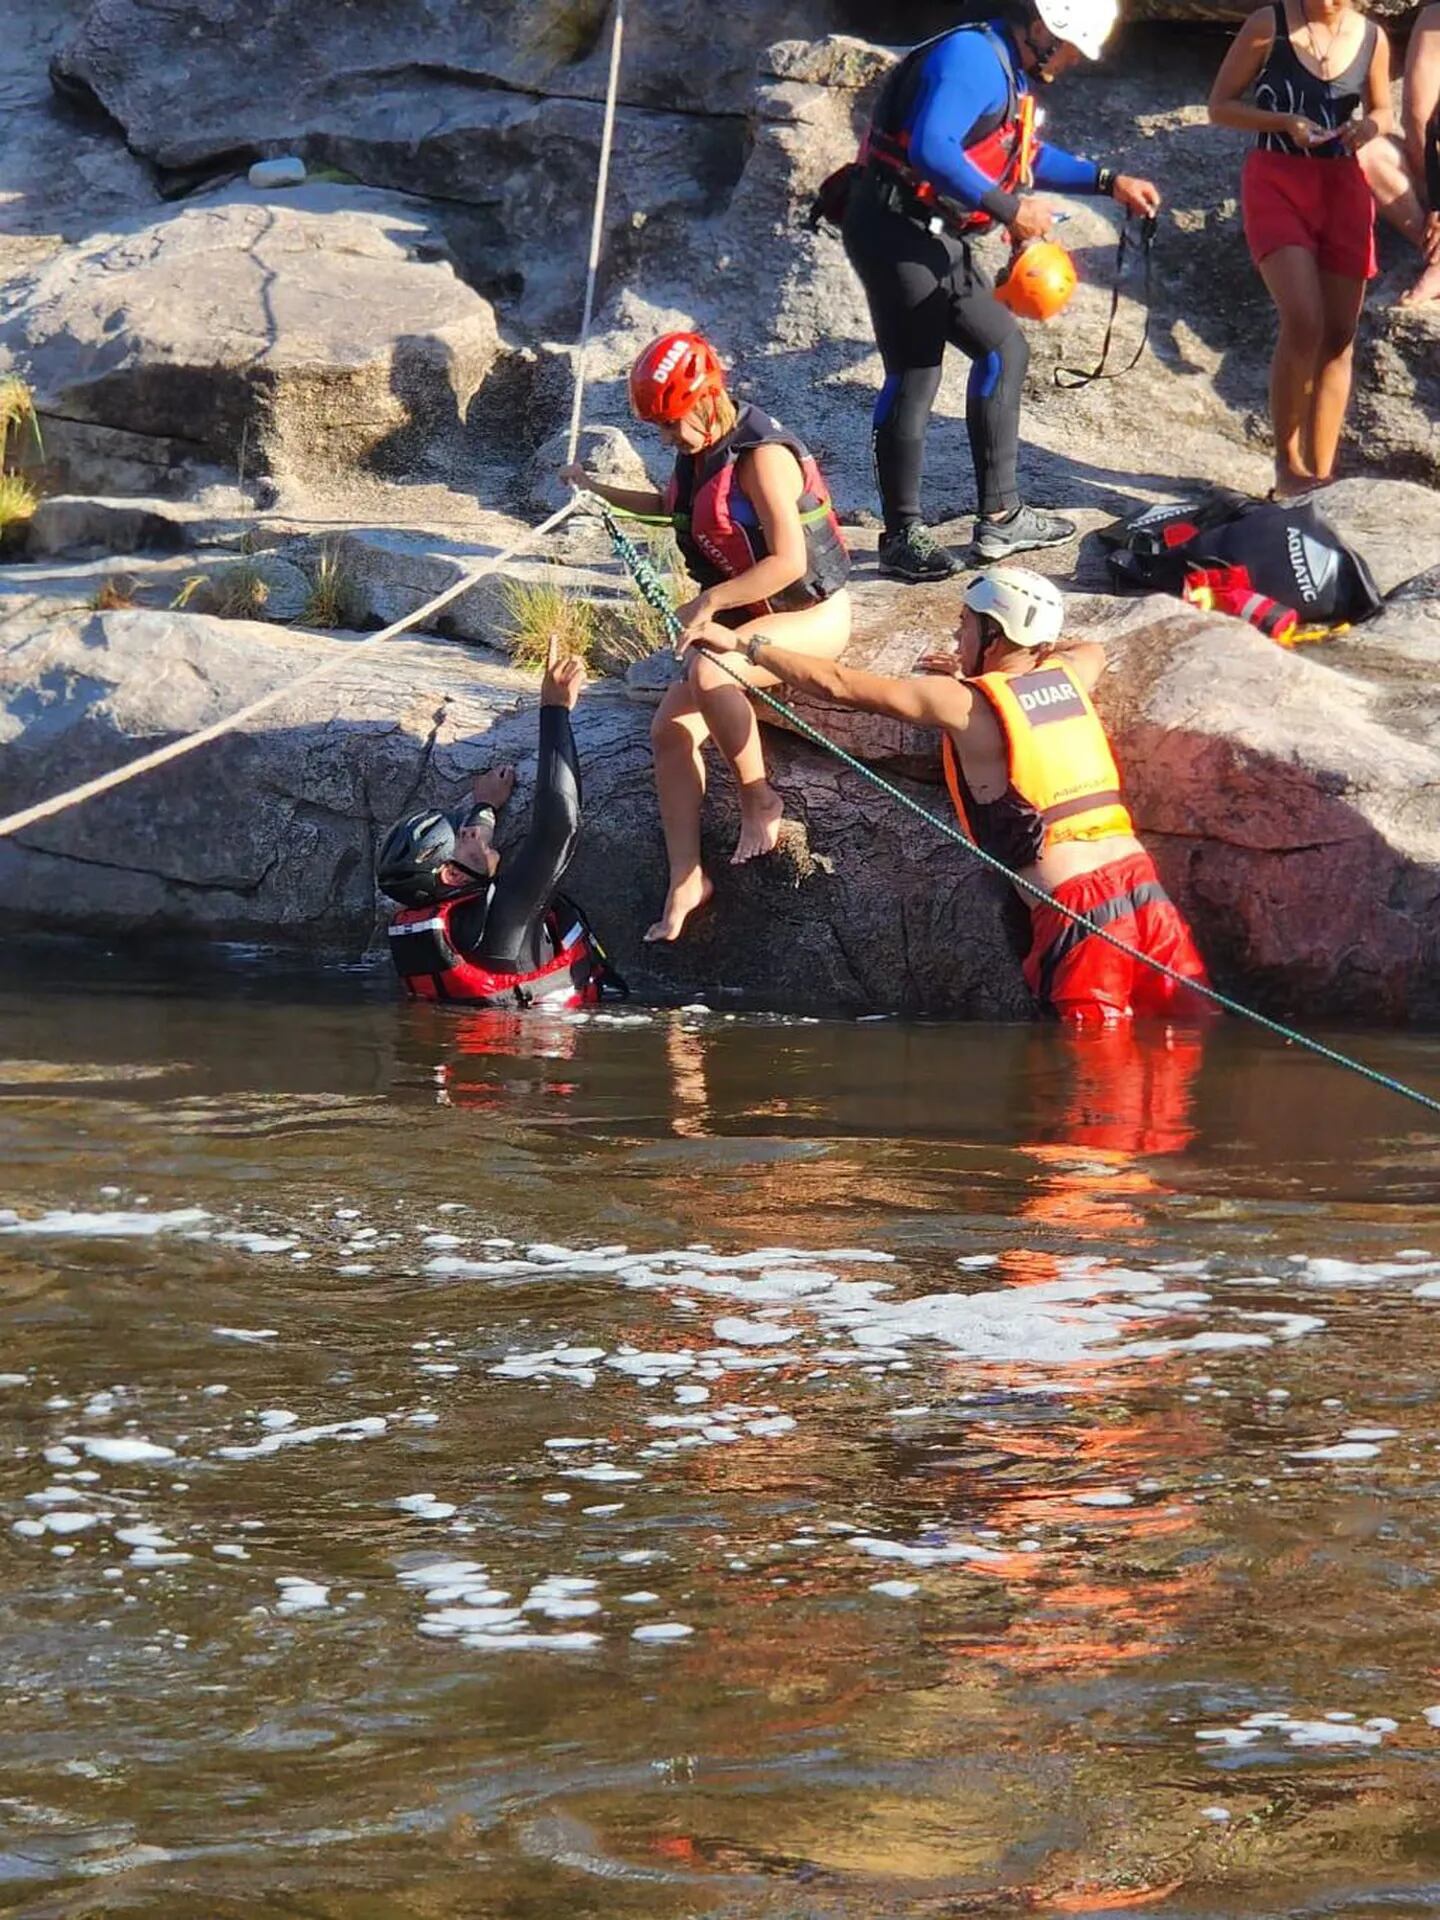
x=1086, y=978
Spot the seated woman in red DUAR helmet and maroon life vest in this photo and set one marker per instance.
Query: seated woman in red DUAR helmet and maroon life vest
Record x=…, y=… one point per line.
x=757, y=529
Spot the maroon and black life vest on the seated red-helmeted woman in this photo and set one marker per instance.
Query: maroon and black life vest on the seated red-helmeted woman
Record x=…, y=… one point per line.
x=719, y=529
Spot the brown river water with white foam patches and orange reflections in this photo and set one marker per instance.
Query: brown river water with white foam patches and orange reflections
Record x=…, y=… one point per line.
x=706, y=1466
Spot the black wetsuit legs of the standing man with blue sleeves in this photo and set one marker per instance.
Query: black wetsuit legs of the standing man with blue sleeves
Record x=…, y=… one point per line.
x=928, y=293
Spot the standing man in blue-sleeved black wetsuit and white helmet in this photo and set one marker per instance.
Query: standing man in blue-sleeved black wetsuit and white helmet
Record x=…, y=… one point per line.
x=949, y=155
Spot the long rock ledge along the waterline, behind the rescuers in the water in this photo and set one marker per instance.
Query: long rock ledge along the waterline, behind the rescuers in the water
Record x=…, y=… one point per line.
x=1291, y=802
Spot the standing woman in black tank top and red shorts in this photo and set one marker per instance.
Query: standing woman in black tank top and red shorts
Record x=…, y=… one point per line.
x=1318, y=76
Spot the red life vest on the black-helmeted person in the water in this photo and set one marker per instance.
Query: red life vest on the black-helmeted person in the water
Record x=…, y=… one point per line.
x=435, y=969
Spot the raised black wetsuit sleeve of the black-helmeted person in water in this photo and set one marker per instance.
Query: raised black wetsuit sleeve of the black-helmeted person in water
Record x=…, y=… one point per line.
x=516, y=926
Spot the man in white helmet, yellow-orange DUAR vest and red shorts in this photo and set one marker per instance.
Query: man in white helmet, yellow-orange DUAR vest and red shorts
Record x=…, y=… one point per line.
x=1036, y=784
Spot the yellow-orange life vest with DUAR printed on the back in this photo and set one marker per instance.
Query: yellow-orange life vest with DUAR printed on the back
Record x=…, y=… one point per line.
x=1063, y=775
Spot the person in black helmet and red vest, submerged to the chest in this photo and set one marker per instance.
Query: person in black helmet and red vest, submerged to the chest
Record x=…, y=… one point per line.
x=489, y=932
